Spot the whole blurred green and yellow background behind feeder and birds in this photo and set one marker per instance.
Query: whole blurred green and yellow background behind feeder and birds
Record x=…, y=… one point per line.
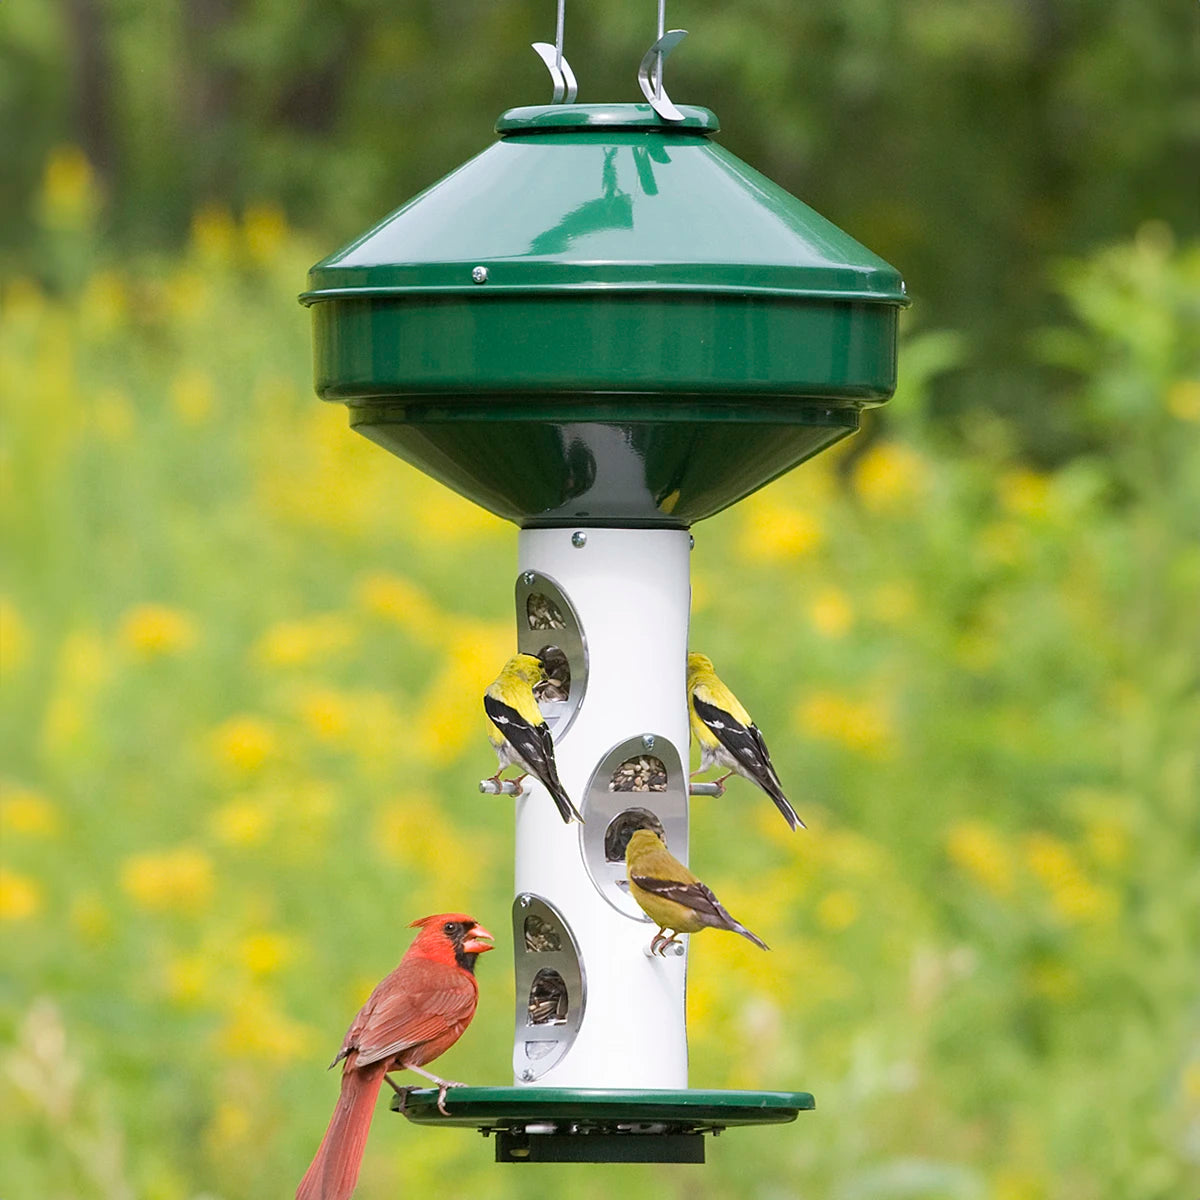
x=243, y=649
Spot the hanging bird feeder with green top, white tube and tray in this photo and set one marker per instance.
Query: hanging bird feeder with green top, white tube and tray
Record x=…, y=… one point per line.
x=604, y=328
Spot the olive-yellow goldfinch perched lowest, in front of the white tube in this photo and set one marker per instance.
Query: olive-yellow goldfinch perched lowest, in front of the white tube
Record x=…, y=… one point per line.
x=671, y=896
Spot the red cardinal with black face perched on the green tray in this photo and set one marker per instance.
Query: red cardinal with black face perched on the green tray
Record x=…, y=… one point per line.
x=416, y=1015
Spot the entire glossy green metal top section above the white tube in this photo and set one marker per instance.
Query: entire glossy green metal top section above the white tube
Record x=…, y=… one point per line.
x=605, y=320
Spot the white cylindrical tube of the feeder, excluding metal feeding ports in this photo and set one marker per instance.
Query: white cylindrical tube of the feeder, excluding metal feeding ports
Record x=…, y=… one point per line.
x=631, y=590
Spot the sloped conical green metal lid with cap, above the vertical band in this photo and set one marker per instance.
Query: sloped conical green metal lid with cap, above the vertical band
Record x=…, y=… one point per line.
x=608, y=196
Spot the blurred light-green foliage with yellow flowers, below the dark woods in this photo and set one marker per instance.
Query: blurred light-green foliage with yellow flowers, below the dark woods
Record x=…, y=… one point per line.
x=243, y=655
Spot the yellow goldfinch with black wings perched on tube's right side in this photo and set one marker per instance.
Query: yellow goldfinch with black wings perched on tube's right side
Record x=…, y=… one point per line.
x=728, y=737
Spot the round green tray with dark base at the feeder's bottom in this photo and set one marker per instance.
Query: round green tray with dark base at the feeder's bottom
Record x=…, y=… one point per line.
x=587, y=1125
